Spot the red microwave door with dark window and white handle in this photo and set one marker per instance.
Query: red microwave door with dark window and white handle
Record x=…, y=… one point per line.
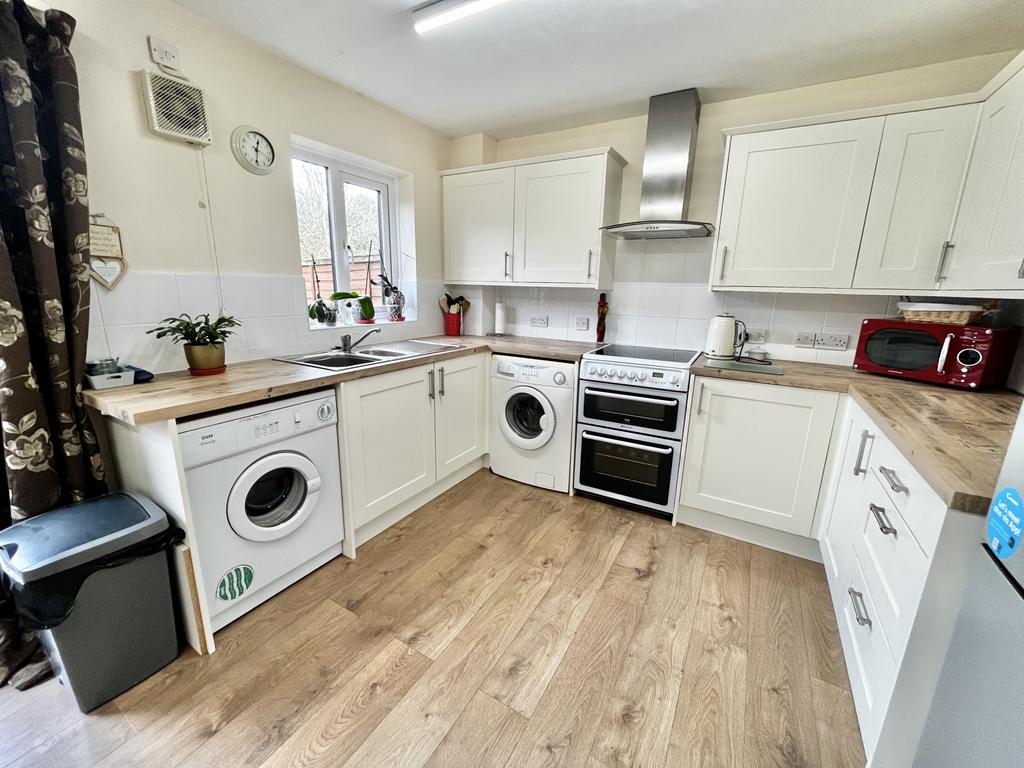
x=915, y=351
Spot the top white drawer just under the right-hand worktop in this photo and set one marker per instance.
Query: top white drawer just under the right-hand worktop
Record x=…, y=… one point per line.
x=909, y=494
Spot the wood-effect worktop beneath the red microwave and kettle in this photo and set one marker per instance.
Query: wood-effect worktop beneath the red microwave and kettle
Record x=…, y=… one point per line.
x=955, y=439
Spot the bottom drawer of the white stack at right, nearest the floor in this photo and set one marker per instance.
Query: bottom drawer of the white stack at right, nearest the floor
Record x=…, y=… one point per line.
x=868, y=650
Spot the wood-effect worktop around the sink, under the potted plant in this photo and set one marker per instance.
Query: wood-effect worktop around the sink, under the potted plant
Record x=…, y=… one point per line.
x=179, y=396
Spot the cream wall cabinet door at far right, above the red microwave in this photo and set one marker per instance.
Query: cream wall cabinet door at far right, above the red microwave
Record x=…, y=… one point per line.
x=989, y=241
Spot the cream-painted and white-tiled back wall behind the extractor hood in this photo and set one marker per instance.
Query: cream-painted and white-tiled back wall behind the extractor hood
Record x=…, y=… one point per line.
x=661, y=296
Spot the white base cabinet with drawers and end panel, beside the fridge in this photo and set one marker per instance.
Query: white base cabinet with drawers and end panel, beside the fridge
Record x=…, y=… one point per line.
x=895, y=612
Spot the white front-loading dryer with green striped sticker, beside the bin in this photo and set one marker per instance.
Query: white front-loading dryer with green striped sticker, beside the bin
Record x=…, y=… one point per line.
x=265, y=487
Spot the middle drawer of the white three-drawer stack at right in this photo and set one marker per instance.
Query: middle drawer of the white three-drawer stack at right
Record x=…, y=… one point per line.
x=893, y=564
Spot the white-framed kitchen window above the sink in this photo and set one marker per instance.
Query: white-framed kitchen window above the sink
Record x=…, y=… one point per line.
x=347, y=218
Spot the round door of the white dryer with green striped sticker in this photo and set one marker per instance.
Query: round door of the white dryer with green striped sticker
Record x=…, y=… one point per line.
x=273, y=497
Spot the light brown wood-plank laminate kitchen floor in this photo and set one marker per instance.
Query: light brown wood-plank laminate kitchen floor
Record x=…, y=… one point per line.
x=499, y=626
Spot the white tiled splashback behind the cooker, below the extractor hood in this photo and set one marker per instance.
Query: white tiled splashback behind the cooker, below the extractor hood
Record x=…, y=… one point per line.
x=661, y=298
